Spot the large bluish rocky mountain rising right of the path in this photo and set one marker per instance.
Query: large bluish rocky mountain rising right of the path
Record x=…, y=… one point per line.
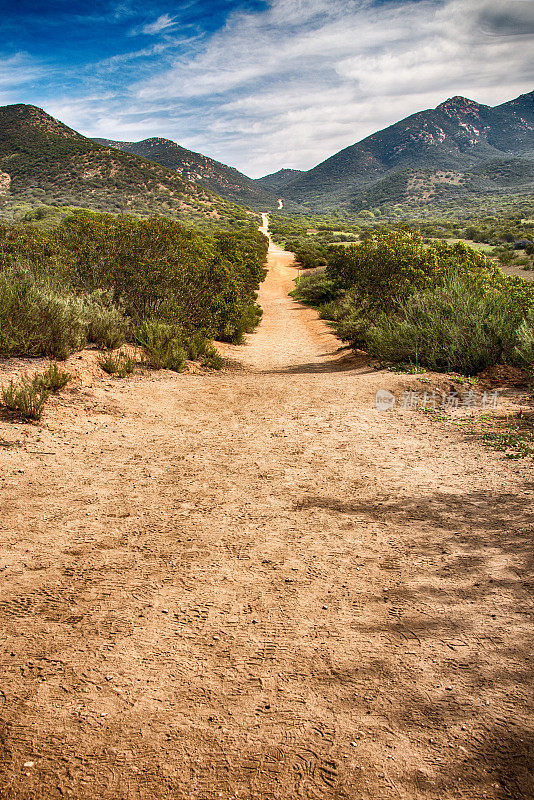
x=455, y=137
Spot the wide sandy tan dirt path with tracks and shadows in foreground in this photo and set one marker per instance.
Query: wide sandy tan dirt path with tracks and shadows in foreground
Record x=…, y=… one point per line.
x=254, y=585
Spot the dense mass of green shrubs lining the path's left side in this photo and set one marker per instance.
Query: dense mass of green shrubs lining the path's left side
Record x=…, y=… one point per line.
x=84, y=280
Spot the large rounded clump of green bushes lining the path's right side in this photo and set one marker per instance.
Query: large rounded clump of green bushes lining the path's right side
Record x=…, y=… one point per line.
x=442, y=306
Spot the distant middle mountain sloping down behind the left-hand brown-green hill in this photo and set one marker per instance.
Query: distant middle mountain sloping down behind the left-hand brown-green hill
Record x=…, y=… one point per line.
x=219, y=178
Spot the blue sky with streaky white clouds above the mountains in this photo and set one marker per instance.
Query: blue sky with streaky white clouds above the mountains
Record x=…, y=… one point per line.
x=259, y=84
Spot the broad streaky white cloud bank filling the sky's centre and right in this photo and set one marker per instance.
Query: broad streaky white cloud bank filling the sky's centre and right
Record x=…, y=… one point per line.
x=291, y=85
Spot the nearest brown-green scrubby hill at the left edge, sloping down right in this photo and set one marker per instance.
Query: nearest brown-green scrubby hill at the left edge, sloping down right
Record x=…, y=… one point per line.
x=42, y=161
